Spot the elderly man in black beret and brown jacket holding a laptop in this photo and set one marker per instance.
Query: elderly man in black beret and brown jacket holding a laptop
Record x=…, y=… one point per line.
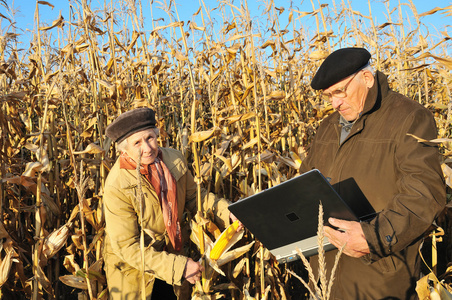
x=368, y=141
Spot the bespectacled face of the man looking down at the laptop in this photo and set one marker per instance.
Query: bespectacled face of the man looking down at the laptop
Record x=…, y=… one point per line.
x=353, y=104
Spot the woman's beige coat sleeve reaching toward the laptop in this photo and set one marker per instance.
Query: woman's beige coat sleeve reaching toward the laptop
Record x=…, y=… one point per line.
x=219, y=206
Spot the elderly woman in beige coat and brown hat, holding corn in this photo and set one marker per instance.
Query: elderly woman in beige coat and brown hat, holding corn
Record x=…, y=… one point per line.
x=167, y=189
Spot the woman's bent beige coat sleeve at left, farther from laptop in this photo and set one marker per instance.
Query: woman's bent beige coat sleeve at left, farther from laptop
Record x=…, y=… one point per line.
x=122, y=227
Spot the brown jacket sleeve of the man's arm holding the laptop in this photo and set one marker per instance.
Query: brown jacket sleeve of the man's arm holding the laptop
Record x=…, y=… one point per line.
x=421, y=190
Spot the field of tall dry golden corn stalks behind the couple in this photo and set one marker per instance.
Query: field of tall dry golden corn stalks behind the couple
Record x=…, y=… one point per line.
x=232, y=93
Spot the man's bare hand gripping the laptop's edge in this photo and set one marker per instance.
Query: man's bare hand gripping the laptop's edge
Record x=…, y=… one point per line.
x=349, y=233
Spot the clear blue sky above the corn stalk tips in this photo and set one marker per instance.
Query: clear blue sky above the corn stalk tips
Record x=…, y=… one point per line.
x=25, y=10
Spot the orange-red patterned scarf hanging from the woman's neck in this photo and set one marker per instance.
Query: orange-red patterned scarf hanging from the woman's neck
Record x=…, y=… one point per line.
x=164, y=184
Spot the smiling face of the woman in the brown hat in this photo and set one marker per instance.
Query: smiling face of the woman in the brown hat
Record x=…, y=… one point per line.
x=144, y=141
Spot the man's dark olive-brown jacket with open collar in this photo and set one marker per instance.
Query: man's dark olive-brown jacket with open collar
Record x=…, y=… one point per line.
x=400, y=177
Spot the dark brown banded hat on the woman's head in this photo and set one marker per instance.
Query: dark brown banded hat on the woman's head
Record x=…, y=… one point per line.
x=131, y=122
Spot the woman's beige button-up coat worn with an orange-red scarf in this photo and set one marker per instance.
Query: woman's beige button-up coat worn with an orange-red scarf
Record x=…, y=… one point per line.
x=122, y=253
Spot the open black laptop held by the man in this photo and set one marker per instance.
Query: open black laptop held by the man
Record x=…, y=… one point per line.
x=285, y=217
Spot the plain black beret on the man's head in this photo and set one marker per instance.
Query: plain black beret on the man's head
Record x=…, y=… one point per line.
x=339, y=65
